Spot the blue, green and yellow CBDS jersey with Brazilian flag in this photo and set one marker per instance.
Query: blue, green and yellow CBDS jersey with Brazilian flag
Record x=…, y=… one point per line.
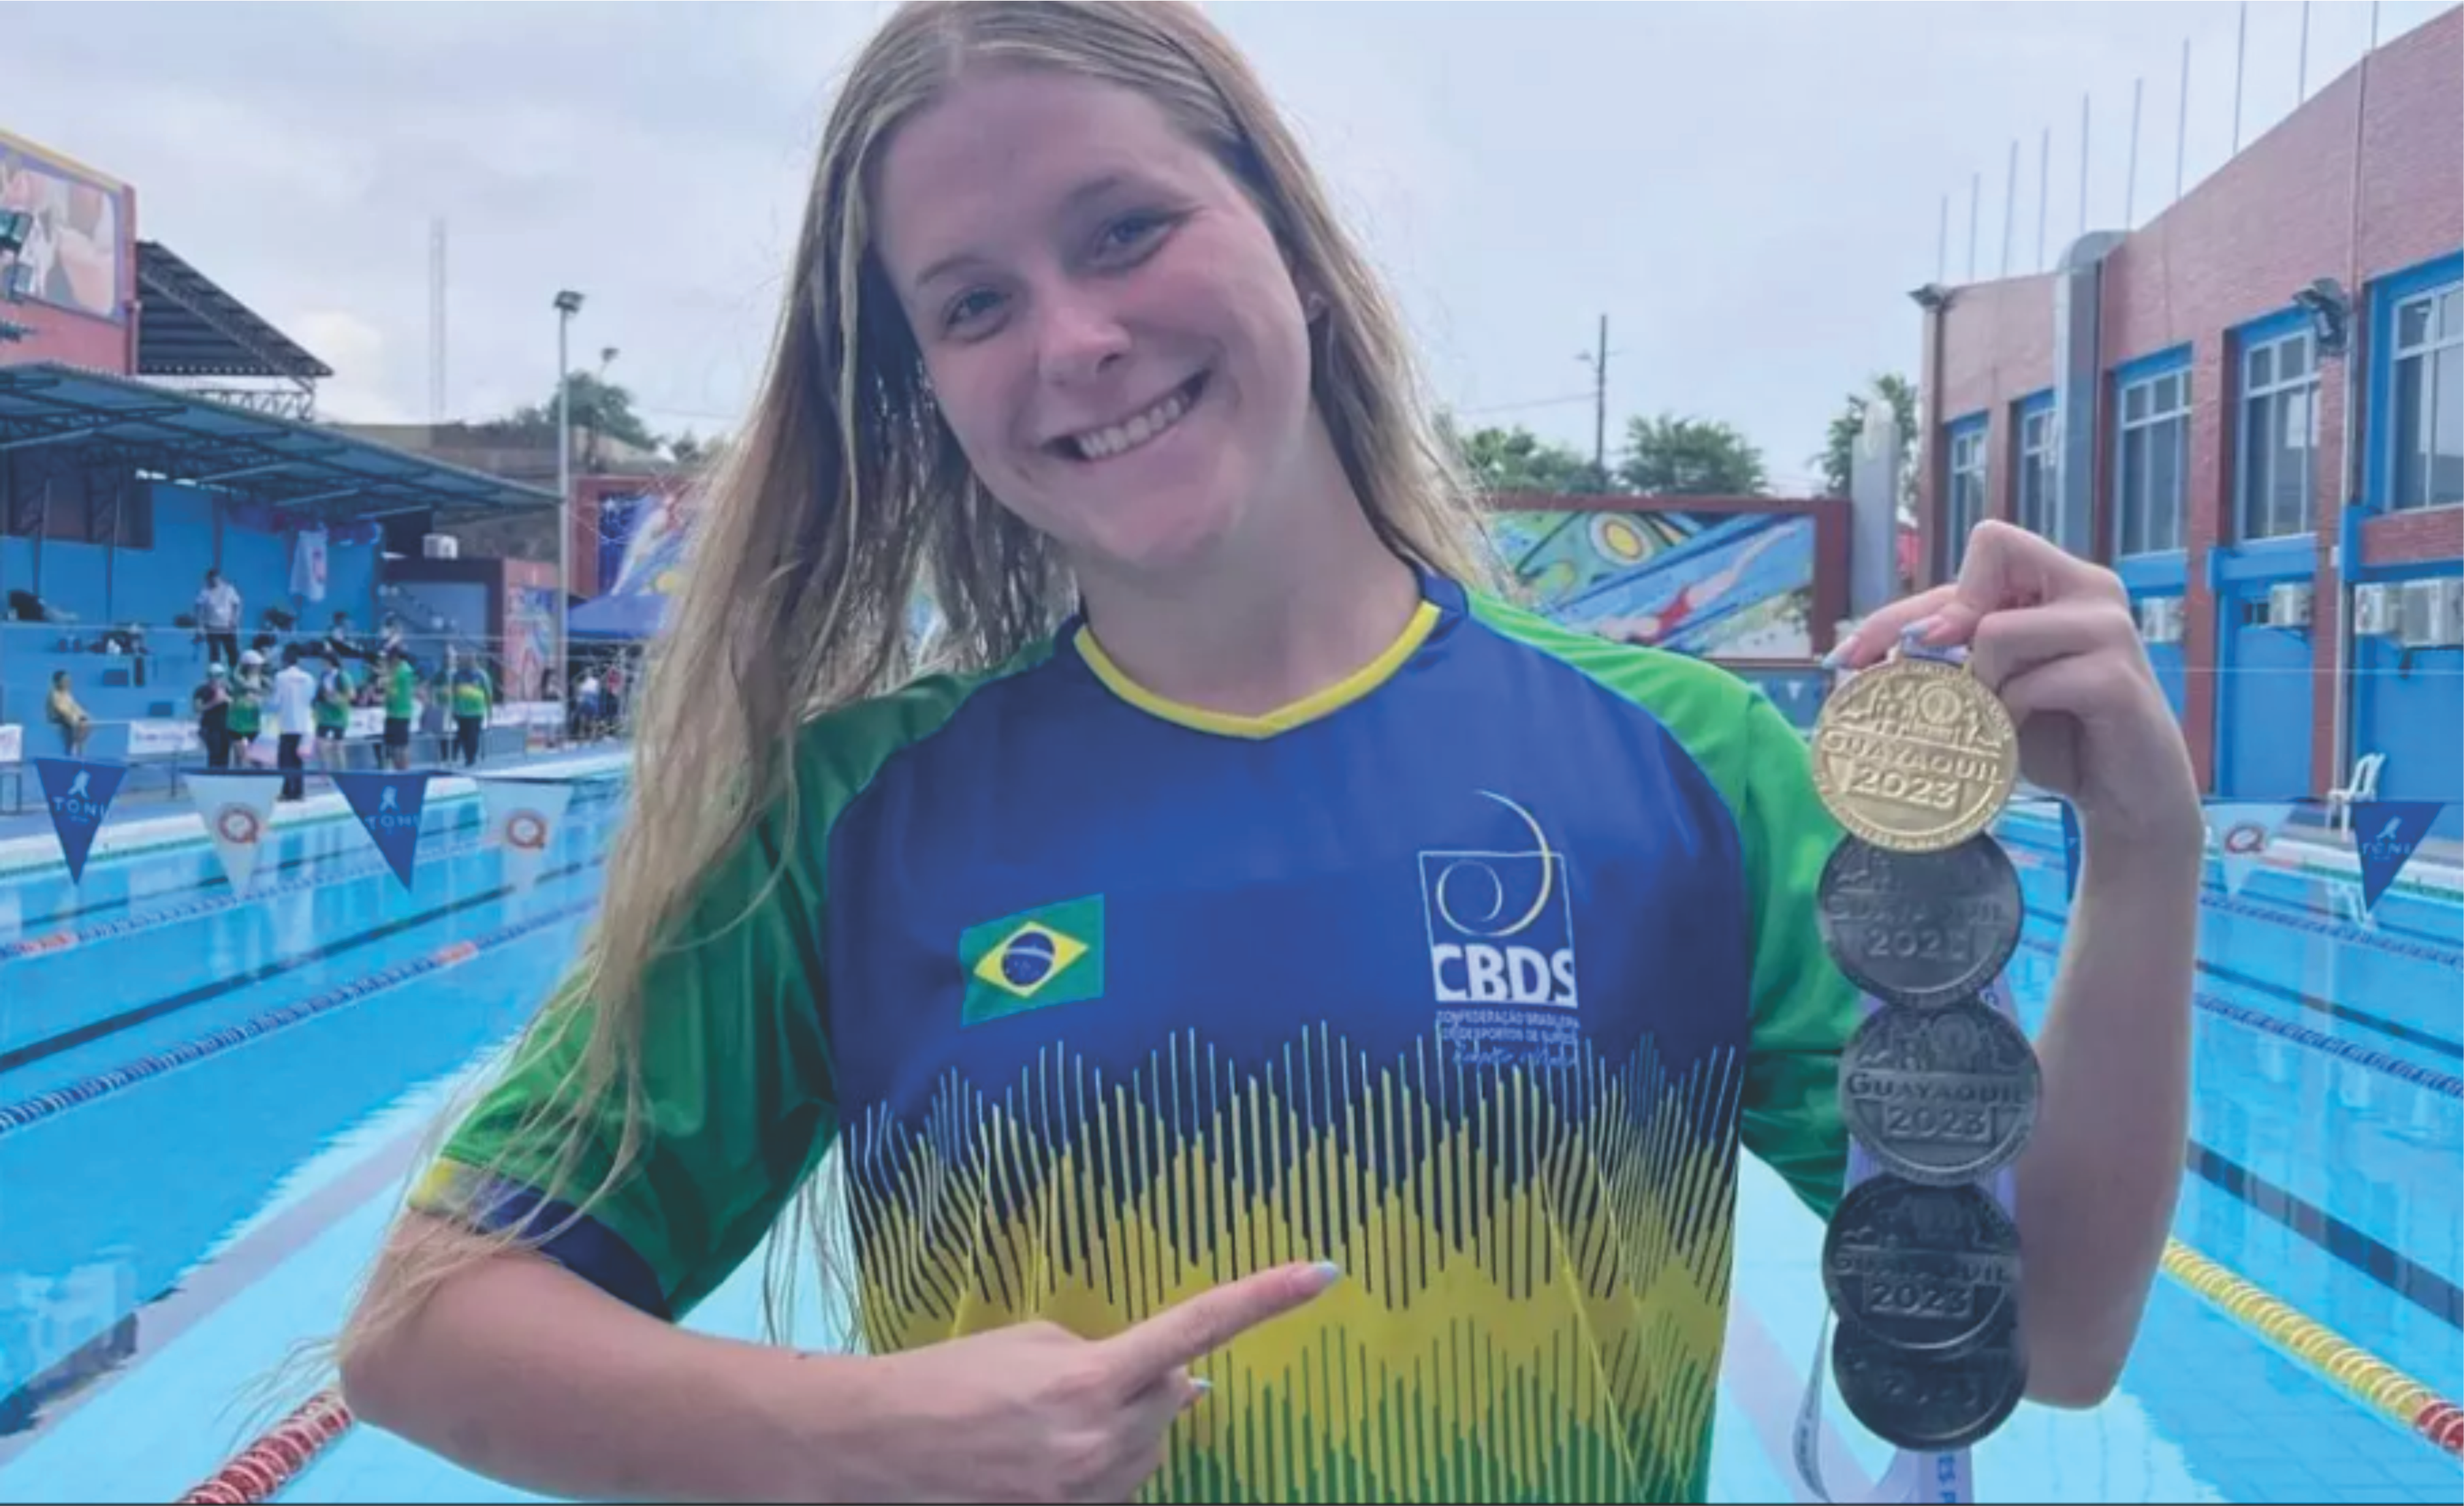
x=1470, y=975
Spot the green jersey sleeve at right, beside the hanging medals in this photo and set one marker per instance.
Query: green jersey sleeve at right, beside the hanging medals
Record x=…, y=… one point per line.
x=1805, y=1007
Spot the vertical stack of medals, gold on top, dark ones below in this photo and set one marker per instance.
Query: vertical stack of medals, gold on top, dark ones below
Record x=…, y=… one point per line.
x=1923, y=908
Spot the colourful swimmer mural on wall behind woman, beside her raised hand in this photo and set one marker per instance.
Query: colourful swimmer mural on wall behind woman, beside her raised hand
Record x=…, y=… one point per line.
x=1724, y=585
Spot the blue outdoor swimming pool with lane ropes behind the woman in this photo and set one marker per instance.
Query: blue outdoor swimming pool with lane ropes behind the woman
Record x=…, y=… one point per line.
x=267, y=1066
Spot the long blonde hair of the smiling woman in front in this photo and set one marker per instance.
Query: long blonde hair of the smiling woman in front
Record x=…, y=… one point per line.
x=849, y=494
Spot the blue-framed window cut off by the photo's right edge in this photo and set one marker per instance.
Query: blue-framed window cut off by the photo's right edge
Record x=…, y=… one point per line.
x=2418, y=388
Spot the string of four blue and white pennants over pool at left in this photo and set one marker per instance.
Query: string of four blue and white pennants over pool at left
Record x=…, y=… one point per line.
x=238, y=810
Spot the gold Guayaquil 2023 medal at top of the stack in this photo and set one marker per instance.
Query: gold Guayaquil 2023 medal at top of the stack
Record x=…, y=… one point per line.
x=1916, y=755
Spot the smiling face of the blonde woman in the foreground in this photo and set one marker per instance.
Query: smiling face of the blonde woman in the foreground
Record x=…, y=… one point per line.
x=1108, y=322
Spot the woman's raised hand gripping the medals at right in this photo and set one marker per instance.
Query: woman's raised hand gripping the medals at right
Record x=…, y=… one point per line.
x=2054, y=637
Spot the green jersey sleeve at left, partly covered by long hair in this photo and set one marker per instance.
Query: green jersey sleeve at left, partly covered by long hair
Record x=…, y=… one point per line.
x=738, y=1101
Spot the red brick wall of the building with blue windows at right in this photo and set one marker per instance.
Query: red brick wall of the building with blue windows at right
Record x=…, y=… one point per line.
x=2268, y=223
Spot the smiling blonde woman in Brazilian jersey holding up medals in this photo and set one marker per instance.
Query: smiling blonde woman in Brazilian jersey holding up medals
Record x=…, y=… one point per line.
x=1285, y=1019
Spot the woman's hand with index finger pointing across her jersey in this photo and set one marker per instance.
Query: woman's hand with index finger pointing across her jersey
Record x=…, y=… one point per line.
x=1036, y=1414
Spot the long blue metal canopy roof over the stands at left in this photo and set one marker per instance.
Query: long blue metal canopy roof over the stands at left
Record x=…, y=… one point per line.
x=277, y=462
